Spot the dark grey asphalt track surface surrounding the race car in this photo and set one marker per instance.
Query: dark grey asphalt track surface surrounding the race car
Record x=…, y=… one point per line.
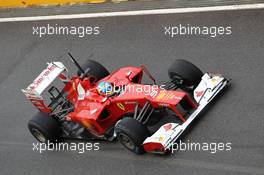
x=236, y=116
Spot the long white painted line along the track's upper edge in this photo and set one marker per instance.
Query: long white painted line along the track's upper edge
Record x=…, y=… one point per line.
x=135, y=13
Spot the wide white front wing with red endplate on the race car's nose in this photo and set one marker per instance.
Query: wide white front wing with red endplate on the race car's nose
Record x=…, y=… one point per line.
x=164, y=138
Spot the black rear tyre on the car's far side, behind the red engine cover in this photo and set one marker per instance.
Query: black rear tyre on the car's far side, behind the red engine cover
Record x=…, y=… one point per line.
x=97, y=70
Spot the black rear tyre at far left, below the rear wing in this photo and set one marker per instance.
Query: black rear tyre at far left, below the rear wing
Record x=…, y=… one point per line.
x=44, y=128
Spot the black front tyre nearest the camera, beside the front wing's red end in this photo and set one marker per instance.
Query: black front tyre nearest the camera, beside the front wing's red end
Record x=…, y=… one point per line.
x=131, y=134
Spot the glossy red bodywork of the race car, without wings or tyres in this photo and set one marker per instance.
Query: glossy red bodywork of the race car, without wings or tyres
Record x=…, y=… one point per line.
x=98, y=113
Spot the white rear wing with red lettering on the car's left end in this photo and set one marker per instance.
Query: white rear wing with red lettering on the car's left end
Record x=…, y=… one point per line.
x=41, y=83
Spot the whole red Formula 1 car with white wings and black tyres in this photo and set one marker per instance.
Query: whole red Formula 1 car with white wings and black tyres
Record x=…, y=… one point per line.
x=144, y=117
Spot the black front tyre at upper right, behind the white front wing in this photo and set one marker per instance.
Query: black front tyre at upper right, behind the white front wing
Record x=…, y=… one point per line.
x=188, y=73
